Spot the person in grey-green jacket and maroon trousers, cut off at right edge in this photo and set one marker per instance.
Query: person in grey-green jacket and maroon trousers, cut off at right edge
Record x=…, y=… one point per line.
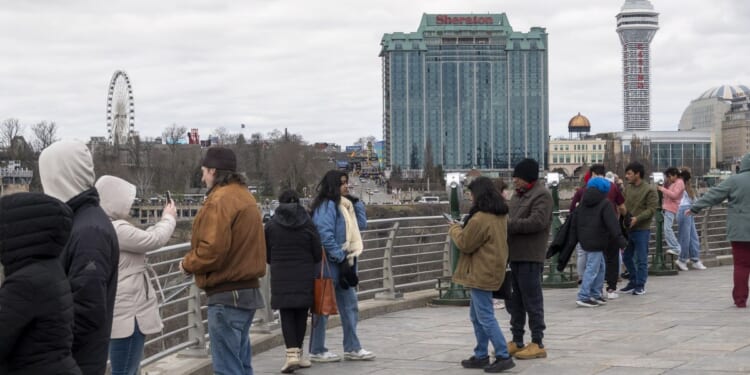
x=735, y=189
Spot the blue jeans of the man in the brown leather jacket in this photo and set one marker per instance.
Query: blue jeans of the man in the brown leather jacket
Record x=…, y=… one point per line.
x=229, y=331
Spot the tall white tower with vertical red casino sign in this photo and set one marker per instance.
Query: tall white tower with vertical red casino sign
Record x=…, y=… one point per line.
x=637, y=23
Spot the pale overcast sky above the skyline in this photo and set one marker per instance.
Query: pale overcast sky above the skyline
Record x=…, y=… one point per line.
x=313, y=66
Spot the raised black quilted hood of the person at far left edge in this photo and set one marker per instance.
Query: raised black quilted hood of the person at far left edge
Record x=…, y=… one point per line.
x=33, y=226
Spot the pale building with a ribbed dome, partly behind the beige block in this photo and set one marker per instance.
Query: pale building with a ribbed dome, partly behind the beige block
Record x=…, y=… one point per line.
x=707, y=112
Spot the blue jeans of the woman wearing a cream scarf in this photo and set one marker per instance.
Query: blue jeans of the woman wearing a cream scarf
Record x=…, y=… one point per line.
x=346, y=302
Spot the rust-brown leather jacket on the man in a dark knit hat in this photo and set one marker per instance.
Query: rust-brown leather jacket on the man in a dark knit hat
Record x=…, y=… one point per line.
x=228, y=248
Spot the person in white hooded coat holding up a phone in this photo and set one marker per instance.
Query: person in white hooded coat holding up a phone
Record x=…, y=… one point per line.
x=136, y=311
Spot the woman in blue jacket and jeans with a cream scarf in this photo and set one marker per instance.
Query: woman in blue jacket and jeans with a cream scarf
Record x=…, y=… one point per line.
x=339, y=217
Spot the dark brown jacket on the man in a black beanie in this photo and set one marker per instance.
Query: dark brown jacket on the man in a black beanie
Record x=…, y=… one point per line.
x=529, y=224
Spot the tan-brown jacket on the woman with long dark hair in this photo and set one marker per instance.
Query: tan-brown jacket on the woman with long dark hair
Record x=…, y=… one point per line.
x=483, y=250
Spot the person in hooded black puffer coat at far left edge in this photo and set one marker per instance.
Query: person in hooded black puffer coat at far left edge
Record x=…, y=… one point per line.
x=36, y=305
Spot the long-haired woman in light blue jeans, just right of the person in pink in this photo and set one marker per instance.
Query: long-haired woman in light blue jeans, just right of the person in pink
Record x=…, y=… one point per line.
x=687, y=234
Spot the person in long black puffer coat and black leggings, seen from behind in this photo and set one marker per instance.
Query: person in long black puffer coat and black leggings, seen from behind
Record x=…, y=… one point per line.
x=293, y=248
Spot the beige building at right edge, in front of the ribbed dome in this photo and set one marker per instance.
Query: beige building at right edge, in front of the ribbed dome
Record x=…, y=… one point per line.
x=735, y=141
